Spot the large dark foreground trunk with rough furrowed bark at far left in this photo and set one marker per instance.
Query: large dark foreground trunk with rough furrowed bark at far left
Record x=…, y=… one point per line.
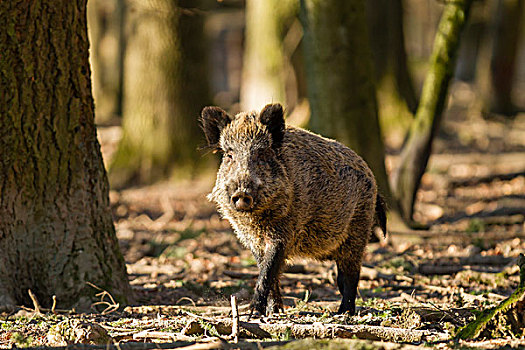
x=56, y=230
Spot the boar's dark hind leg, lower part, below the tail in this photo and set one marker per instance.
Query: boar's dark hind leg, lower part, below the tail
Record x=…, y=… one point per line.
x=347, y=281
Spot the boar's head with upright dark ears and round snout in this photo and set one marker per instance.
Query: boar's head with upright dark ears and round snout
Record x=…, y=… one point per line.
x=252, y=178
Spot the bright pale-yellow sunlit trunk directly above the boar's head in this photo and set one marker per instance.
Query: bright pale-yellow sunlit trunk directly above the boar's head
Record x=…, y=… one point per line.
x=263, y=75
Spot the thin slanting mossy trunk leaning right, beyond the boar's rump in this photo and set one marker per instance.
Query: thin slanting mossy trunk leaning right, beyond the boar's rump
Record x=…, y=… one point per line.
x=416, y=152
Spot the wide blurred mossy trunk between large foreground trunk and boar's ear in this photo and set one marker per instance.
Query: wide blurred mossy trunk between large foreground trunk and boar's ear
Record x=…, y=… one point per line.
x=165, y=88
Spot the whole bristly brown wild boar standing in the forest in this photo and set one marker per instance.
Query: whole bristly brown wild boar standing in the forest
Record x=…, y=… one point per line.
x=290, y=193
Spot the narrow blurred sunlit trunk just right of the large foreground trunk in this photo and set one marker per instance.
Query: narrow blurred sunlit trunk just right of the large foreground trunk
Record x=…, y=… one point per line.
x=105, y=24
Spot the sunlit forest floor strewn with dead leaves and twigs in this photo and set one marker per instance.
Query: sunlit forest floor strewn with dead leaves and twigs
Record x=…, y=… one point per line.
x=417, y=287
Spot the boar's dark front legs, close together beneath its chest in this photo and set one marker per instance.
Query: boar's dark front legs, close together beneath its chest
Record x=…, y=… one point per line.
x=270, y=263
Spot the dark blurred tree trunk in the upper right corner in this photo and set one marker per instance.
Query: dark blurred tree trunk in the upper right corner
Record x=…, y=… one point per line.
x=498, y=59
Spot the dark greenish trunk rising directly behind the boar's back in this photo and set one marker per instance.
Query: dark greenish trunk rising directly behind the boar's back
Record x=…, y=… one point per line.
x=340, y=80
